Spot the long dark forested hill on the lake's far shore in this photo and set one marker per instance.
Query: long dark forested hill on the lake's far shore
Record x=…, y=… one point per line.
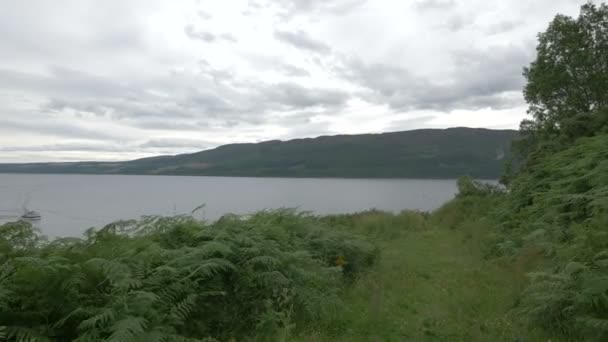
x=425, y=153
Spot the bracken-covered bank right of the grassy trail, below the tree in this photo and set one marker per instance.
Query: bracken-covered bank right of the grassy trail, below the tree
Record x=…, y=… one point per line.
x=559, y=208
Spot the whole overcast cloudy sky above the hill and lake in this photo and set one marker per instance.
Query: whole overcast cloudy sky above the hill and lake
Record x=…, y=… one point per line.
x=115, y=80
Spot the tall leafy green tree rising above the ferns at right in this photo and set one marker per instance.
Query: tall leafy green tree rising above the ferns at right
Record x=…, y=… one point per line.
x=567, y=87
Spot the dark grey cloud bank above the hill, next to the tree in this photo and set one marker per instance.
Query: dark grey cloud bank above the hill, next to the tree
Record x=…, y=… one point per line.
x=482, y=79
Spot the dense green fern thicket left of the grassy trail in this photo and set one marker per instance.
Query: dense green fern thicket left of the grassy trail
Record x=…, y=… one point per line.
x=177, y=279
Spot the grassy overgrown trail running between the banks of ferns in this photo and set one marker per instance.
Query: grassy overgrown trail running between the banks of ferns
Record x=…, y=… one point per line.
x=433, y=284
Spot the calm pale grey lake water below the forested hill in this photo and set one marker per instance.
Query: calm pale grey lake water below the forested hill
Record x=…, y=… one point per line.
x=69, y=204
